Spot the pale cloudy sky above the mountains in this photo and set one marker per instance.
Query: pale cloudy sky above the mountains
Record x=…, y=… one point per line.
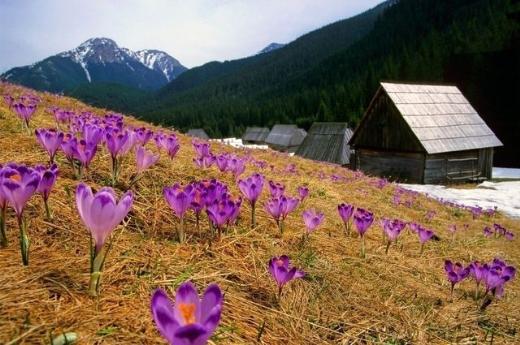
x=192, y=31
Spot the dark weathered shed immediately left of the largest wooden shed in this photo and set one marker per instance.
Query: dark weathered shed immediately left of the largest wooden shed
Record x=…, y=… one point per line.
x=327, y=142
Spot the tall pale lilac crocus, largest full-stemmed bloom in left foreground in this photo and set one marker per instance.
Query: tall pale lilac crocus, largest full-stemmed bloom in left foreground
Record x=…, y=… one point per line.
x=101, y=213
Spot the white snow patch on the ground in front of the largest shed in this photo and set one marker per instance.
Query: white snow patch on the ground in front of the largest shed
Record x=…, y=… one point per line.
x=504, y=195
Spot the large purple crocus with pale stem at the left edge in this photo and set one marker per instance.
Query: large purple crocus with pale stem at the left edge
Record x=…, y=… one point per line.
x=18, y=185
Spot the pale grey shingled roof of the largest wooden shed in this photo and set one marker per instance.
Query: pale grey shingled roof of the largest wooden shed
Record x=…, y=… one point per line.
x=440, y=117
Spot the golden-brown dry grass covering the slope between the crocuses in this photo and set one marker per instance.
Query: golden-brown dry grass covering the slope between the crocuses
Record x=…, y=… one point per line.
x=399, y=298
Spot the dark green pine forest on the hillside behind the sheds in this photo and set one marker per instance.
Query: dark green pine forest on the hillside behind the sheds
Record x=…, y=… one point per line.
x=332, y=73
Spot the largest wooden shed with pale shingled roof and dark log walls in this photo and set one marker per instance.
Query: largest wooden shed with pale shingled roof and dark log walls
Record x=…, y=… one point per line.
x=423, y=134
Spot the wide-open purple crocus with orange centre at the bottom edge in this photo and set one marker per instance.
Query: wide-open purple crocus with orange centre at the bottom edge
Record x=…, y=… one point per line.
x=190, y=320
